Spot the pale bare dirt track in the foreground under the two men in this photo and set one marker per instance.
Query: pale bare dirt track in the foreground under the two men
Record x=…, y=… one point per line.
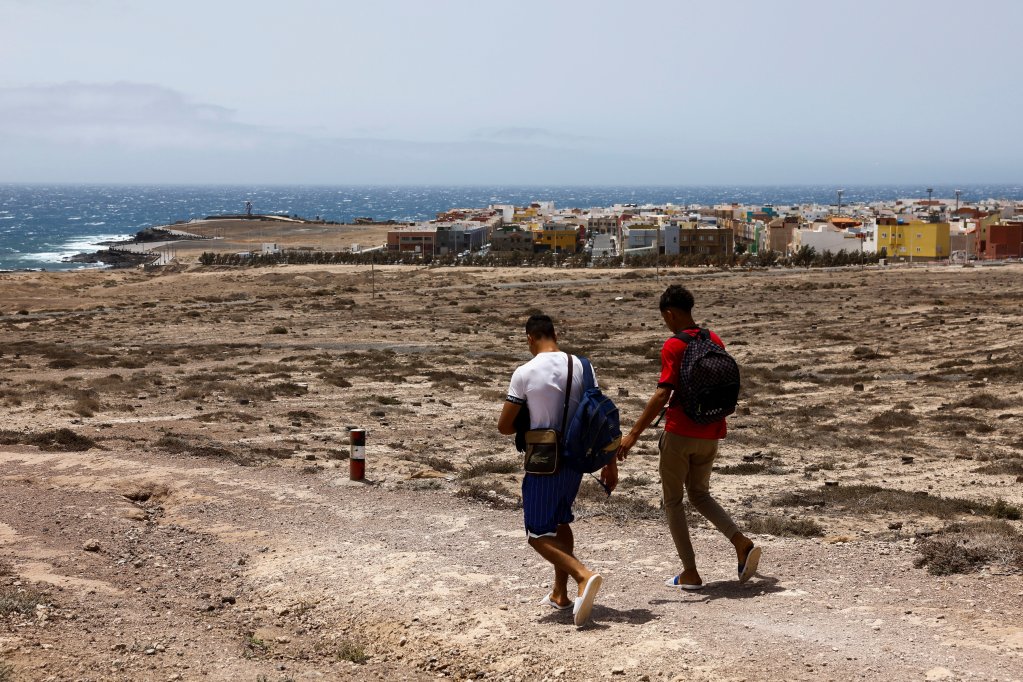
x=229, y=573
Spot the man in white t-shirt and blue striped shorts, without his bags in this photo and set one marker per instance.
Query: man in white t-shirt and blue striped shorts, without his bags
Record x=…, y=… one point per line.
x=548, y=499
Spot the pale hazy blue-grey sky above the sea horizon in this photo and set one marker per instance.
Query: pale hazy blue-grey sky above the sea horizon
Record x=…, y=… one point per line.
x=526, y=93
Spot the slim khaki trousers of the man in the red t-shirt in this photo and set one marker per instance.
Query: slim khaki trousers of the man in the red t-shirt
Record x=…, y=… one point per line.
x=686, y=464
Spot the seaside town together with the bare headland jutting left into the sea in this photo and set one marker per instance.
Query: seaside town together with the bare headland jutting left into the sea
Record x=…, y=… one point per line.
x=910, y=231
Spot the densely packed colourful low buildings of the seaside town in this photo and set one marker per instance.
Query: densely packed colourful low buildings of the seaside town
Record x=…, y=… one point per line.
x=931, y=230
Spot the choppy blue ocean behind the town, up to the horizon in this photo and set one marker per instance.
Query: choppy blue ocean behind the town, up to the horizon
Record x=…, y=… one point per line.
x=42, y=224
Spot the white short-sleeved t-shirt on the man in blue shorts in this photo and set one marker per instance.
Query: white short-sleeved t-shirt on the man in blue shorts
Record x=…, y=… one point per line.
x=541, y=384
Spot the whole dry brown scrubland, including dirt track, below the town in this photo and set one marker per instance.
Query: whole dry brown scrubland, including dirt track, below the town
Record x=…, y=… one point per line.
x=176, y=507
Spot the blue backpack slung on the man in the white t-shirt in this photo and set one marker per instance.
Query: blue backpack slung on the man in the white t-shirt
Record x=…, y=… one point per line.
x=594, y=433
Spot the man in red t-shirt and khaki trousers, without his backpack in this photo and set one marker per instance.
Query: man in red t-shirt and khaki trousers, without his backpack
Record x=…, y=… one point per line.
x=688, y=451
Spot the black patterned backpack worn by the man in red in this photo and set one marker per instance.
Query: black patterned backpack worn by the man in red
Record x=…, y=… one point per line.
x=708, y=380
